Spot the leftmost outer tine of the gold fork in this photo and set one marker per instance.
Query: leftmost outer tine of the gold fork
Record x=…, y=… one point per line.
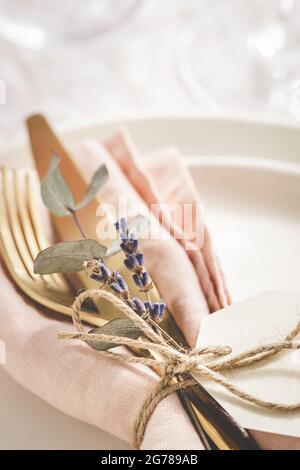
x=10, y=252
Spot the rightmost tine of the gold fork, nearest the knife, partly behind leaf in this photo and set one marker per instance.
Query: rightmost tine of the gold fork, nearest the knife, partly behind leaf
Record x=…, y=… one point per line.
x=36, y=227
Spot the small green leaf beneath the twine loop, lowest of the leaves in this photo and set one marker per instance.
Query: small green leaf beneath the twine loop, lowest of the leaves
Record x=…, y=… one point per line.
x=118, y=327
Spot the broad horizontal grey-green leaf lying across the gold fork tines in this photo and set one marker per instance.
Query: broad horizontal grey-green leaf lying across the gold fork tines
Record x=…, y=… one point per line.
x=67, y=257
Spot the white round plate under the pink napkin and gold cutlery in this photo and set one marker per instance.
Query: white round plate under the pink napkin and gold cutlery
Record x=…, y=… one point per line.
x=248, y=174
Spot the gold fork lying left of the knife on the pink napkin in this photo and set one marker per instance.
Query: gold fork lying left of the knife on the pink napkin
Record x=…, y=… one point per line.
x=22, y=237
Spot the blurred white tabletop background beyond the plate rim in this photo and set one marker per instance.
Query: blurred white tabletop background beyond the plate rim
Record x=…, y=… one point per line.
x=76, y=60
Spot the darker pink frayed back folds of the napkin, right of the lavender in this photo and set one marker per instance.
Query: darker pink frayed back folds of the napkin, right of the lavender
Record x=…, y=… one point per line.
x=163, y=177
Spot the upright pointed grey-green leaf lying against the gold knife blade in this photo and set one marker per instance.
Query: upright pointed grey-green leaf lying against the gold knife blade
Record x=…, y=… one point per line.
x=55, y=192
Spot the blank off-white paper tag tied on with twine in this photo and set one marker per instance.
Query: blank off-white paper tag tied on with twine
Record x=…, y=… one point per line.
x=260, y=320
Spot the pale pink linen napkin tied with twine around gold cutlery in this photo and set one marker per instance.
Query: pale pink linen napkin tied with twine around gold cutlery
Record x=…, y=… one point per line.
x=75, y=378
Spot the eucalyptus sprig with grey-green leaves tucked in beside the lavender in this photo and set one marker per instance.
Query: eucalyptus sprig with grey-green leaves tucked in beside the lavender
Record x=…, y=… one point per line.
x=74, y=256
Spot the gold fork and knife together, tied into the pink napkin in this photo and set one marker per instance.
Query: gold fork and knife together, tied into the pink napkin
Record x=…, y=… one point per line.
x=22, y=238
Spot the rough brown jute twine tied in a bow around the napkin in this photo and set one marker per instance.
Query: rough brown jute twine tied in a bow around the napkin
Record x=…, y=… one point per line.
x=172, y=362
